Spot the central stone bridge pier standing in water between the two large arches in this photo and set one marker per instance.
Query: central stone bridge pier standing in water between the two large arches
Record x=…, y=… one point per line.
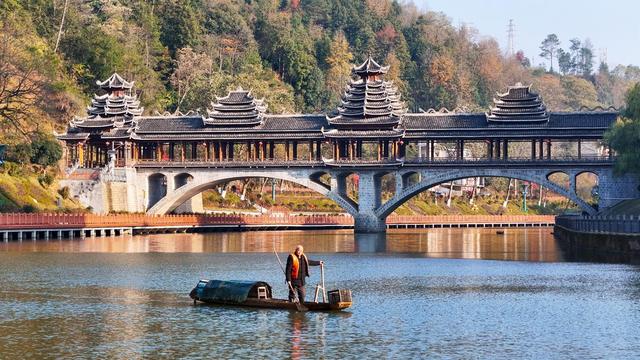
x=369, y=195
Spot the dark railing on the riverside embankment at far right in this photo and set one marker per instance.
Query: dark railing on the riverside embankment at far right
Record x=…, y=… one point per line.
x=611, y=224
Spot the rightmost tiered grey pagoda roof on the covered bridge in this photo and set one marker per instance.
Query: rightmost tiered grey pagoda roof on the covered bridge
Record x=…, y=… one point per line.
x=518, y=105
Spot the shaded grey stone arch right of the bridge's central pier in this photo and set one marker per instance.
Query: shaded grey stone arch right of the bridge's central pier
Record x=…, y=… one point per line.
x=432, y=178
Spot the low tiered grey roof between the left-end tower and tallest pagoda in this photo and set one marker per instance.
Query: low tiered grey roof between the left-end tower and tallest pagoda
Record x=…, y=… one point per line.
x=238, y=108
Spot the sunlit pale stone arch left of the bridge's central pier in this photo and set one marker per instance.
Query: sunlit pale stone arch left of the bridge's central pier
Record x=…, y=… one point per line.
x=207, y=180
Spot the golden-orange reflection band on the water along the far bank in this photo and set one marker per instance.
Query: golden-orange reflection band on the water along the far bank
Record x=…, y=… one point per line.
x=509, y=244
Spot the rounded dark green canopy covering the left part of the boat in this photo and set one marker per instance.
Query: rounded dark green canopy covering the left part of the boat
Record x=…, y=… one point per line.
x=231, y=291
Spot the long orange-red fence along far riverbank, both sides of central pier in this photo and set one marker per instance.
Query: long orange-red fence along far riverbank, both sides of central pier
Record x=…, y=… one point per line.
x=72, y=221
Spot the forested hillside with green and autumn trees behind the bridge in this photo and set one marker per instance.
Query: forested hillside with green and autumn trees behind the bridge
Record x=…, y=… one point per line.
x=295, y=53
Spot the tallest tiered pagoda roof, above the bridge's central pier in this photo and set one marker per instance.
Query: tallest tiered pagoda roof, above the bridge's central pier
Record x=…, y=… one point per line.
x=368, y=104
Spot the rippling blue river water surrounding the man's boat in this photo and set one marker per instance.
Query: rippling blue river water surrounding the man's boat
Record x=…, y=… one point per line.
x=445, y=293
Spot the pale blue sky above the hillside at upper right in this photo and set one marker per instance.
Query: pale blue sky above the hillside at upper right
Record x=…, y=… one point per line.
x=612, y=26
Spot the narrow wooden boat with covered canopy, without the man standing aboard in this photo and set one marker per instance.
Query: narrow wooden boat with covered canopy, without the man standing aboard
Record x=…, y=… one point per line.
x=257, y=294
